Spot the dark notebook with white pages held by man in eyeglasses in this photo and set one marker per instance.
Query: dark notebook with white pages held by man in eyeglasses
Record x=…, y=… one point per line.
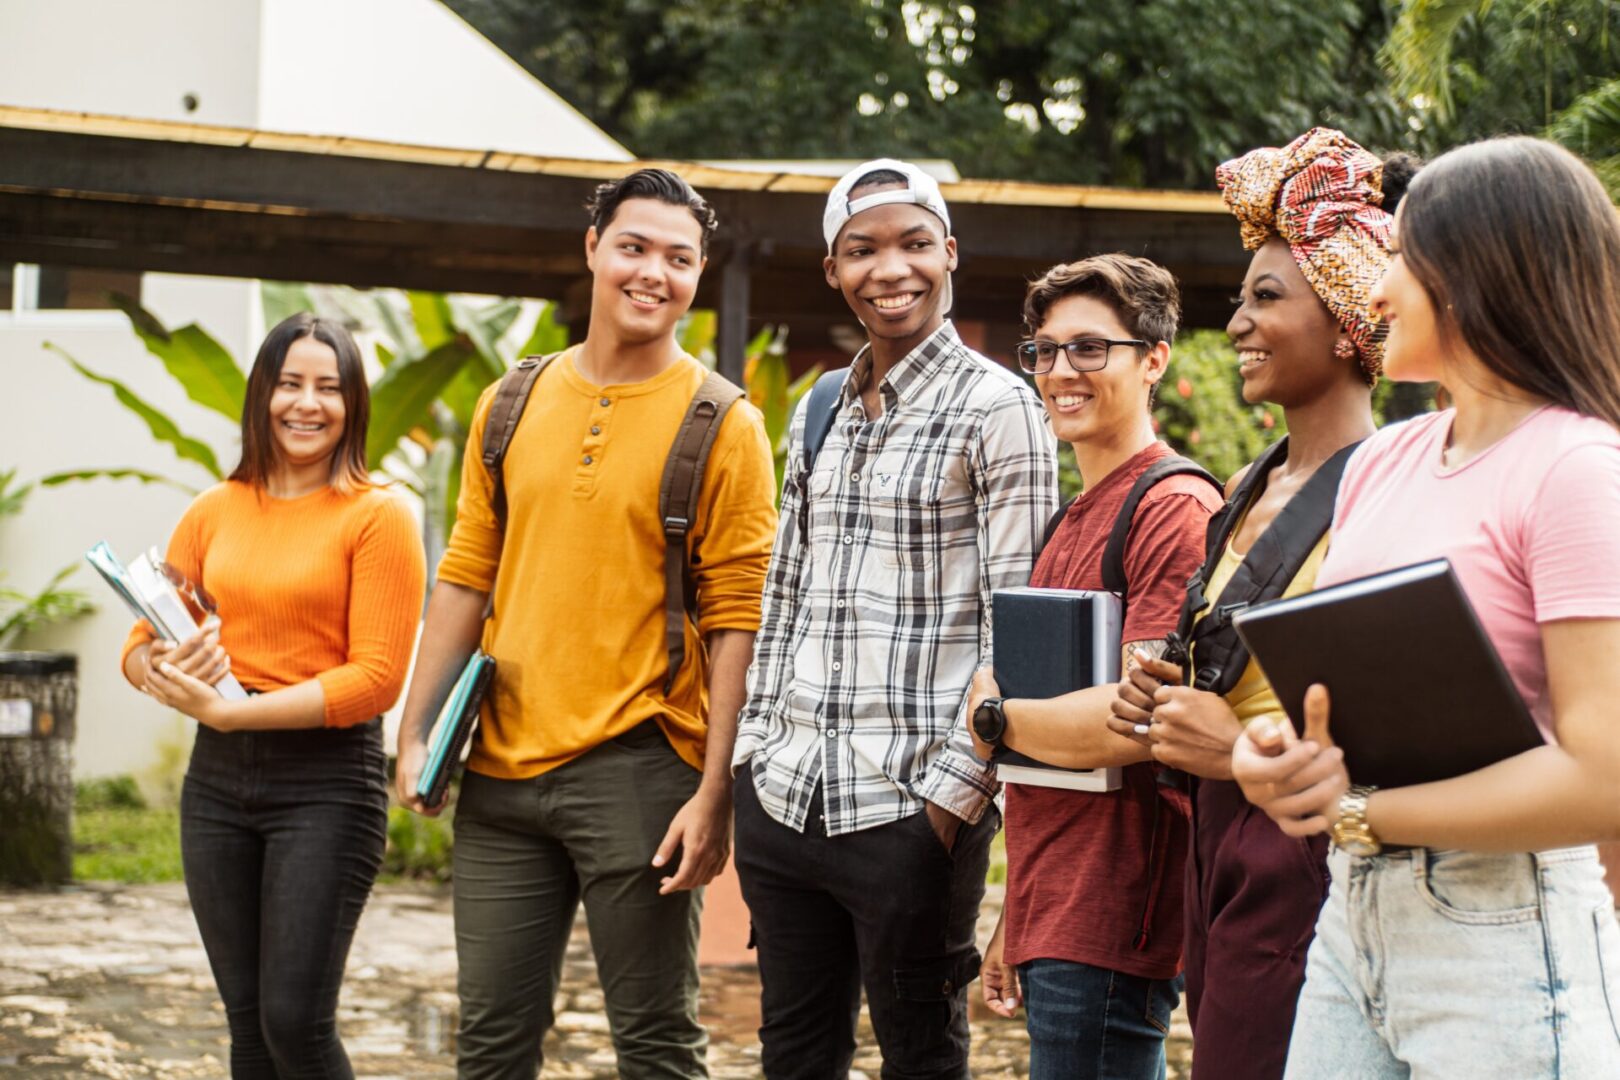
x=1051, y=644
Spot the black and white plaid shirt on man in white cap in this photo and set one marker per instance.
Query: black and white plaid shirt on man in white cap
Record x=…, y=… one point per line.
x=874, y=623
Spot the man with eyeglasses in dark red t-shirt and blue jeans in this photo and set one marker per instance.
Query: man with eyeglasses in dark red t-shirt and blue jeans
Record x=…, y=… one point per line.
x=1091, y=929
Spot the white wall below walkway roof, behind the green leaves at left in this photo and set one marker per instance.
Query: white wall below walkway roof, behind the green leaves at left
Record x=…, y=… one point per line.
x=56, y=422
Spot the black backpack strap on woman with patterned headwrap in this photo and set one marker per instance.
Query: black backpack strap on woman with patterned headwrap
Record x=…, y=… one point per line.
x=1264, y=574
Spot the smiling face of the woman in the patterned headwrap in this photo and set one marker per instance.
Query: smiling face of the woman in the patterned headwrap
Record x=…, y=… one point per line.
x=1284, y=333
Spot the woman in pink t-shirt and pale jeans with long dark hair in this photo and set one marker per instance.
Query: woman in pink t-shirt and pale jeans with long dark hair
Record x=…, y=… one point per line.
x=1473, y=933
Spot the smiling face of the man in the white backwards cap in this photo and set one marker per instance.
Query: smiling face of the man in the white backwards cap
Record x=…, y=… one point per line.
x=892, y=263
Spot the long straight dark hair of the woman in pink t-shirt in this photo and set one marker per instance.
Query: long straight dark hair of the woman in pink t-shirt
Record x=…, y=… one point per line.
x=1519, y=249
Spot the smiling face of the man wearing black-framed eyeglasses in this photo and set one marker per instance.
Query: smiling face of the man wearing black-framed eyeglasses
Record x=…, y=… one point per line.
x=1106, y=404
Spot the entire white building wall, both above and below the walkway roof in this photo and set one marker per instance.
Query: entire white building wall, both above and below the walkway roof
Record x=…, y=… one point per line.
x=398, y=70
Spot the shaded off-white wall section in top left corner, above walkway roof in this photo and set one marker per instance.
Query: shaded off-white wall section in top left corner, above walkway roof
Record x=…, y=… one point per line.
x=134, y=59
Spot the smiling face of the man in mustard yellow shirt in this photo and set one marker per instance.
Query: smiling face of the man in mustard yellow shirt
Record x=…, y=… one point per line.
x=646, y=268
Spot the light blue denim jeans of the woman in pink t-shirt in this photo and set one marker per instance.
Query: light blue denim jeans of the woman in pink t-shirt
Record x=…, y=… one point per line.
x=1456, y=964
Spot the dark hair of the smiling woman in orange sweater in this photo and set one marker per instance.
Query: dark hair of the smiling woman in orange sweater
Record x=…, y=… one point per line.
x=258, y=446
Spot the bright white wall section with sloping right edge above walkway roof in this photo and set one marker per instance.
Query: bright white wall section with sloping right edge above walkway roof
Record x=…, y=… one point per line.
x=409, y=72
